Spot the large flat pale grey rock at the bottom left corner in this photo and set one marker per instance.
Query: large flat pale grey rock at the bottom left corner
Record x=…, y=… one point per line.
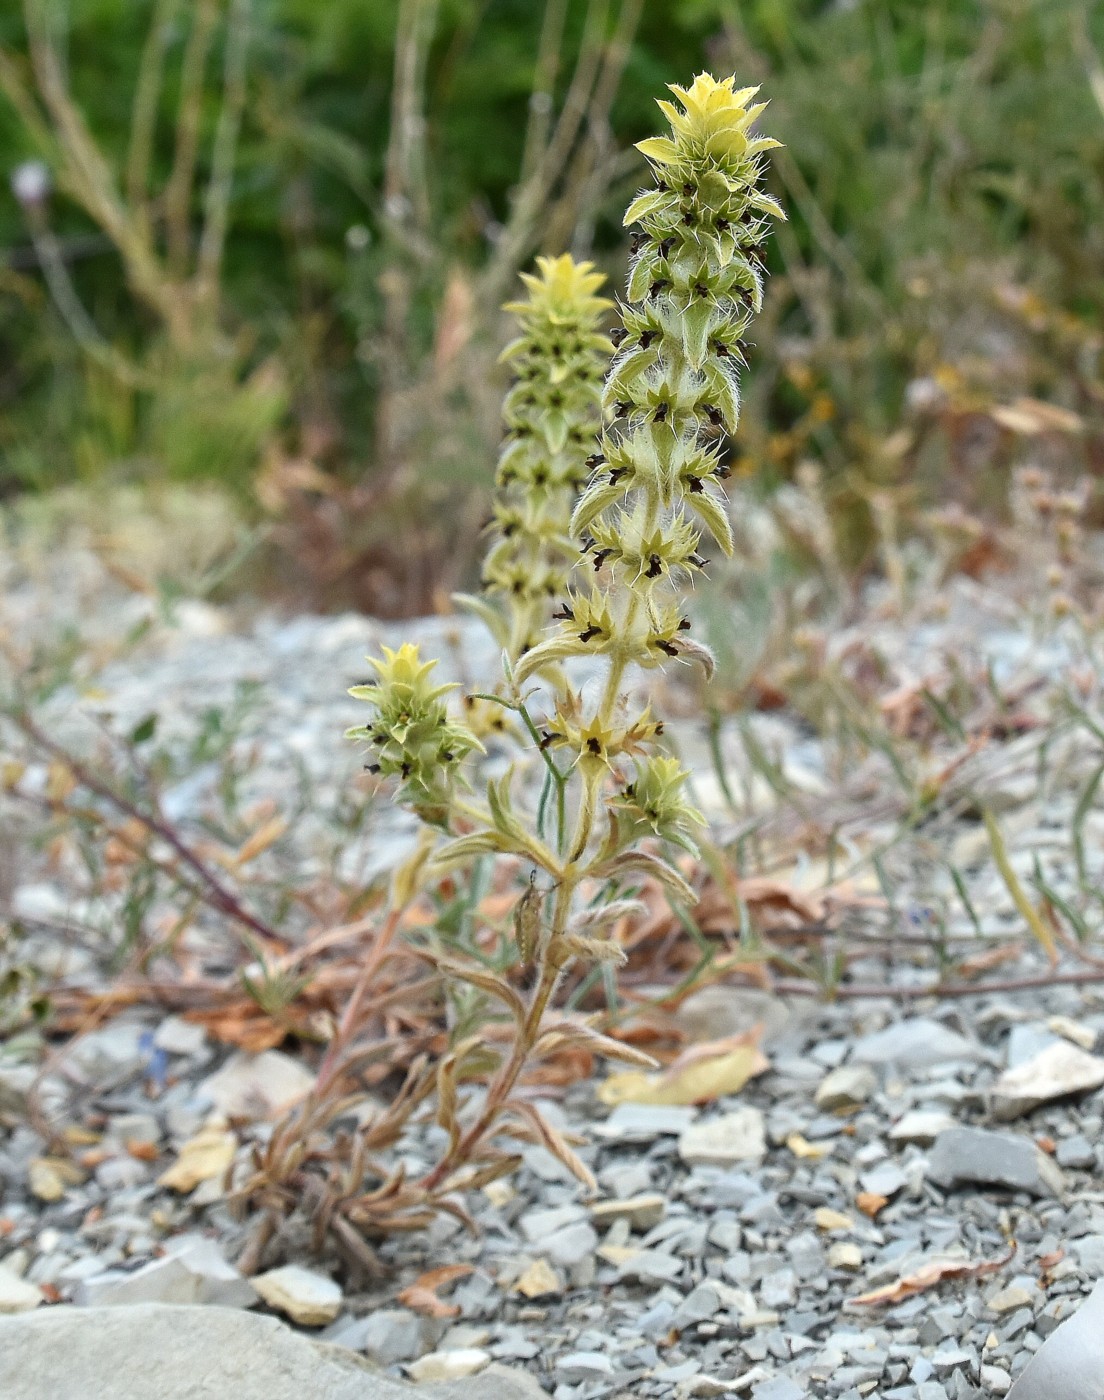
x=156, y=1352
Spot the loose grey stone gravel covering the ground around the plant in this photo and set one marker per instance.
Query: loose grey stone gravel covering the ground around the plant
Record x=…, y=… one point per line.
x=730, y=1244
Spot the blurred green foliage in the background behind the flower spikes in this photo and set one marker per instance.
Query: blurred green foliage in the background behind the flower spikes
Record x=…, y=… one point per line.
x=944, y=176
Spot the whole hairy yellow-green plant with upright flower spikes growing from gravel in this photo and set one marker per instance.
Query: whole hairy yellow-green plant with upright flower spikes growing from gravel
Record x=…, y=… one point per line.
x=611, y=523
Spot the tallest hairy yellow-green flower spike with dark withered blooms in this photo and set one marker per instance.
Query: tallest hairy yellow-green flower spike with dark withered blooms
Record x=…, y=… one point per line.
x=695, y=283
